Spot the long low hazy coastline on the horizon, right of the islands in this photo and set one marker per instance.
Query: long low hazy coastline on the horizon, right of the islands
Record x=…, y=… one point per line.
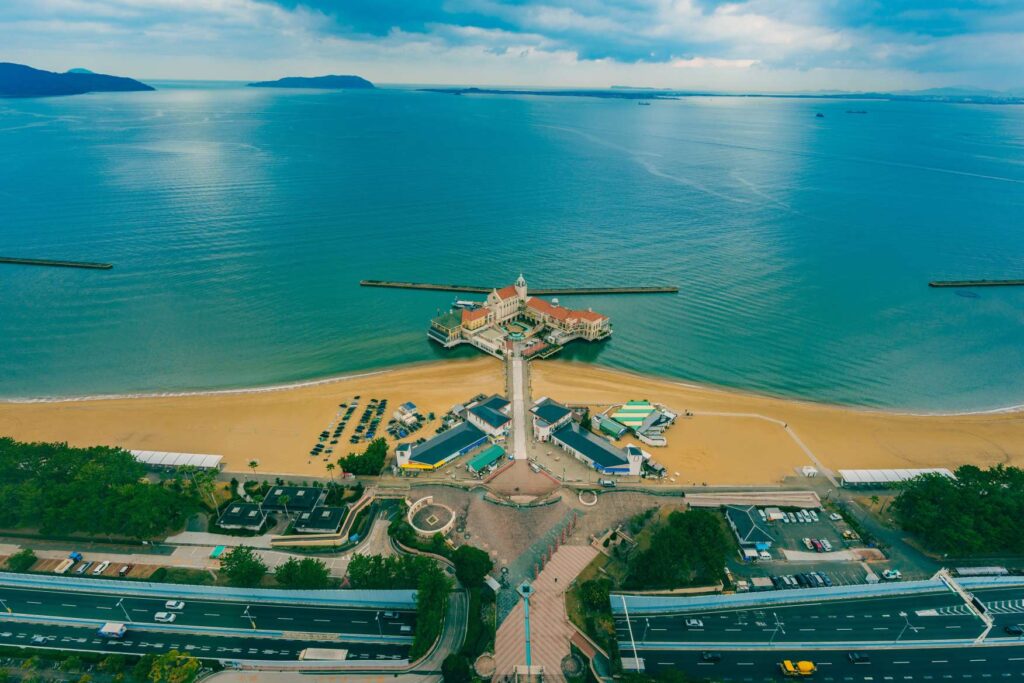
x=964, y=96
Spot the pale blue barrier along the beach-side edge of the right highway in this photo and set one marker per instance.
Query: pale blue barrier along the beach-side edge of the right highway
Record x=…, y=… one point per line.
x=651, y=605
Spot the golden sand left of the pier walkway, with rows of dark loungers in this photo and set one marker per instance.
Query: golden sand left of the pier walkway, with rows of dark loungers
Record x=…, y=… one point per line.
x=276, y=428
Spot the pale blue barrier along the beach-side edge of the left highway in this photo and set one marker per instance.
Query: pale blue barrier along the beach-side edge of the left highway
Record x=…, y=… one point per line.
x=396, y=600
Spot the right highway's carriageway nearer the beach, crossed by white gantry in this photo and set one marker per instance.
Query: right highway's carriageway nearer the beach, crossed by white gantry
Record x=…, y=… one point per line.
x=941, y=616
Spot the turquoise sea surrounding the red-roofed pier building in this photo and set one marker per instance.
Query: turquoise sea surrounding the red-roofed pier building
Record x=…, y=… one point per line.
x=241, y=221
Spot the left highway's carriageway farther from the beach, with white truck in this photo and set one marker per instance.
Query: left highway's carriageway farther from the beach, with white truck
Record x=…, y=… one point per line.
x=202, y=646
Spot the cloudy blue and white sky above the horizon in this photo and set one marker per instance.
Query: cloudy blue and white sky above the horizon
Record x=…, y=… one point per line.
x=745, y=46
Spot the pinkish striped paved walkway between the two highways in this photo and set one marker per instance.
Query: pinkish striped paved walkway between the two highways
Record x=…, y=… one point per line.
x=550, y=630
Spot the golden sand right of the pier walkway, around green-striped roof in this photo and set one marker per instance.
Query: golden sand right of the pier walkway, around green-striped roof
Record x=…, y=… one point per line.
x=754, y=448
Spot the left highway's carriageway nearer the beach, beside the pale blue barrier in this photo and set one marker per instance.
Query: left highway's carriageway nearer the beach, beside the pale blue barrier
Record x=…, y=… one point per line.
x=354, y=622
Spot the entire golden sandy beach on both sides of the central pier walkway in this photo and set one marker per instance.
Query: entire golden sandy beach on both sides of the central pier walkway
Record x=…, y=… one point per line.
x=734, y=439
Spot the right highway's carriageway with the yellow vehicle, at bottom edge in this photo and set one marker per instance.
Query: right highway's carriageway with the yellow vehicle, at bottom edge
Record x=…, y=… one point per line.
x=899, y=666
